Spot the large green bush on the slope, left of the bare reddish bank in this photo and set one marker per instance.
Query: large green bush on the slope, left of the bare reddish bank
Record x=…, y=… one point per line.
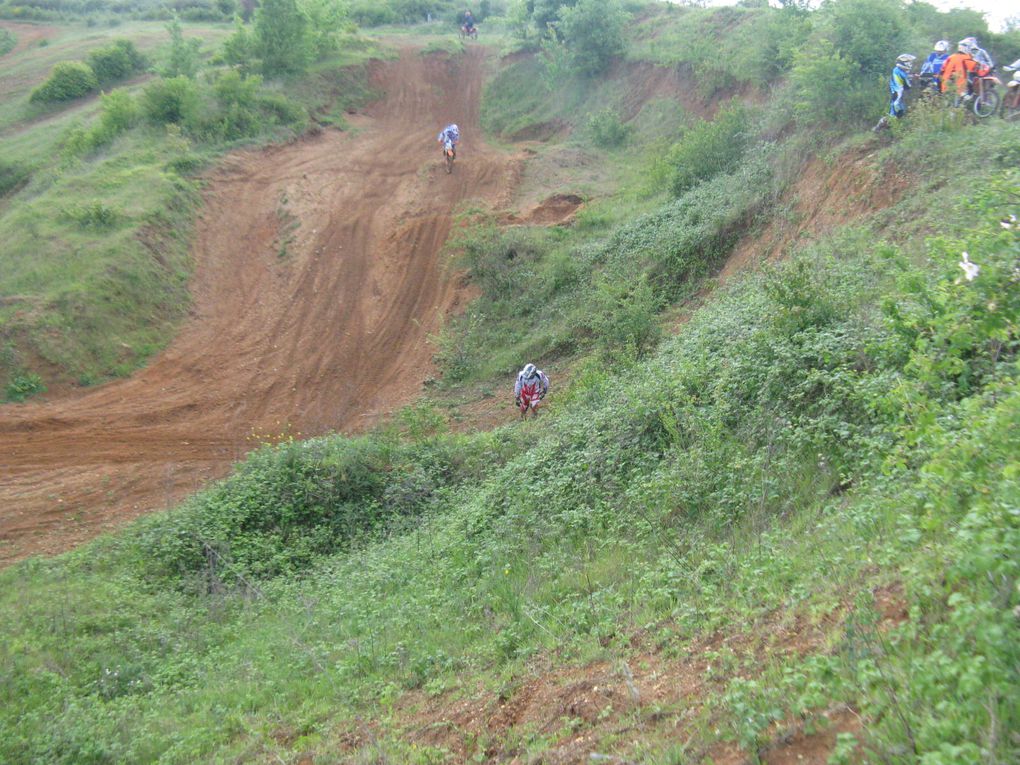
x=711, y=148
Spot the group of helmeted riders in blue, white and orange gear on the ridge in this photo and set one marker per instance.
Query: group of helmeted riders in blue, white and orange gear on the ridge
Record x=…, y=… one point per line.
x=944, y=72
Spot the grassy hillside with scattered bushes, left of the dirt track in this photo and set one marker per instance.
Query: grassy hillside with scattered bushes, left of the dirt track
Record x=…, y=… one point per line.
x=99, y=193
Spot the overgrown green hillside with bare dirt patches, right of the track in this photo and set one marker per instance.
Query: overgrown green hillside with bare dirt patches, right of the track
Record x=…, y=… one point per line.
x=785, y=526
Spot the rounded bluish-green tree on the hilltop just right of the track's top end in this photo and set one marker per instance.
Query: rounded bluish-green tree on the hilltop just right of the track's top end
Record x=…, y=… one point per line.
x=593, y=31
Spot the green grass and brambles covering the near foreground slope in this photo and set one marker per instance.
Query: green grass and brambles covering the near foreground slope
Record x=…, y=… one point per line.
x=769, y=464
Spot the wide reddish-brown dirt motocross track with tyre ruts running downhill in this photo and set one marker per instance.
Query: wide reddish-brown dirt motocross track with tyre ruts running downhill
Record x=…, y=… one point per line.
x=319, y=280
